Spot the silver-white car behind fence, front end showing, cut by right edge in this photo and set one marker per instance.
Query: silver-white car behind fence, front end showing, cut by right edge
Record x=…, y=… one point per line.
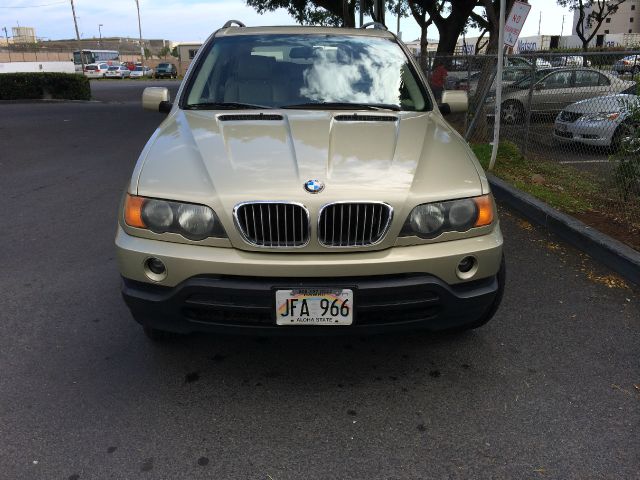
x=602, y=121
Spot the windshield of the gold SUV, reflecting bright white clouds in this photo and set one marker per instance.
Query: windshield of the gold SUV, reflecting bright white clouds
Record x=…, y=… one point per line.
x=286, y=70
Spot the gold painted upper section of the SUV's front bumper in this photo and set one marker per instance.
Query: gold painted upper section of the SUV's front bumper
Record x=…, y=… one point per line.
x=184, y=261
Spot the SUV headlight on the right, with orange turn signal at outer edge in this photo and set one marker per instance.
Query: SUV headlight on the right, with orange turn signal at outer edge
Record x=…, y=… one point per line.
x=431, y=219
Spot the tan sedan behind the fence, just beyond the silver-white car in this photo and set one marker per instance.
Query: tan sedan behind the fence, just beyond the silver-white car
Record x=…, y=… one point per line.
x=556, y=88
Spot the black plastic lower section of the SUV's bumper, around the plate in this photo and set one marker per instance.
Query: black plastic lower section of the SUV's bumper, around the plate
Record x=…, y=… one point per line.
x=246, y=305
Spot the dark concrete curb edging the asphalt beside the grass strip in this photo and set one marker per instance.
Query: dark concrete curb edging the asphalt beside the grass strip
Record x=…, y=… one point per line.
x=614, y=254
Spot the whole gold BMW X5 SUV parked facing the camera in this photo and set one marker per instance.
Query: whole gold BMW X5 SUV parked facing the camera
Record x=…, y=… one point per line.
x=305, y=182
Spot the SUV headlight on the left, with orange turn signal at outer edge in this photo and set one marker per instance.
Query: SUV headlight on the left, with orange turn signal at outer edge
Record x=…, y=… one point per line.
x=195, y=222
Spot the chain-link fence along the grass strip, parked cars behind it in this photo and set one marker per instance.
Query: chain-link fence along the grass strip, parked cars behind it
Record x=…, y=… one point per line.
x=575, y=118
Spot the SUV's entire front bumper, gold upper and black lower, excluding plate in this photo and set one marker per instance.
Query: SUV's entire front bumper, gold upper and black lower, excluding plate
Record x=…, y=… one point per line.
x=231, y=290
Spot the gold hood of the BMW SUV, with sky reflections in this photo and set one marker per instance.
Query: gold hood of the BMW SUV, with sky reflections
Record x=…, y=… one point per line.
x=224, y=158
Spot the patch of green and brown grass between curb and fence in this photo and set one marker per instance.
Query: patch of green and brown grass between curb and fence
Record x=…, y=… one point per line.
x=565, y=188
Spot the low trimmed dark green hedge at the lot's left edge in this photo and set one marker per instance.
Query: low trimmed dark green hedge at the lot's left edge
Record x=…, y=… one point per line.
x=20, y=86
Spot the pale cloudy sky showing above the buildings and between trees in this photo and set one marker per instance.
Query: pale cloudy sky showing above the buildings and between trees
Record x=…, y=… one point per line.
x=194, y=20
